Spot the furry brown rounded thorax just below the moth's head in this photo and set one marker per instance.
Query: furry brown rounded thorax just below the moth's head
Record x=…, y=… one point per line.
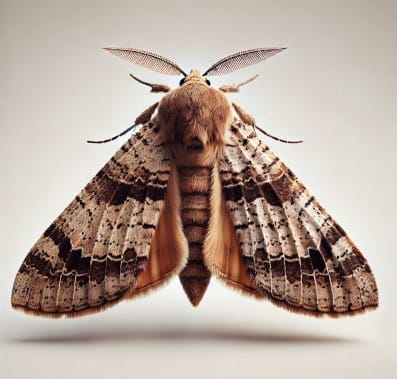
x=194, y=118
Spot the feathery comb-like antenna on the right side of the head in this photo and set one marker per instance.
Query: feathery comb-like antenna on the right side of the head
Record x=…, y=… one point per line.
x=242, y=59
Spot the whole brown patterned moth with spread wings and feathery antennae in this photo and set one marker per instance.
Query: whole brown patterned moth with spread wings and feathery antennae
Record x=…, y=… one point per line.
x=194, y=193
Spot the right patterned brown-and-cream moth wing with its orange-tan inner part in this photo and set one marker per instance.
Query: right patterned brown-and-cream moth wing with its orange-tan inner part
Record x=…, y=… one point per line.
x=283, y=245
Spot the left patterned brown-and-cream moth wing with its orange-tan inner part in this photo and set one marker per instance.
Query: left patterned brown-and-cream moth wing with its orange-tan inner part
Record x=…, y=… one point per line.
x=113, y=241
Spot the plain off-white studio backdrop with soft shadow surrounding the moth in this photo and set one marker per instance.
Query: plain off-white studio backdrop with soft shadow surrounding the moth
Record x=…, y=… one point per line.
x=334, y=87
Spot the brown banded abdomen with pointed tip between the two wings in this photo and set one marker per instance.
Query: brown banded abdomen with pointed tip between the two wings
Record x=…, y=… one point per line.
x=195, y=190
